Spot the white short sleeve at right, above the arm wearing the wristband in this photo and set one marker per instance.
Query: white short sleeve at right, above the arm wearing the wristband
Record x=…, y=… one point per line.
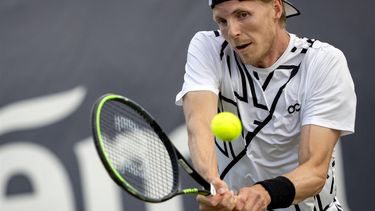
x=330, y=101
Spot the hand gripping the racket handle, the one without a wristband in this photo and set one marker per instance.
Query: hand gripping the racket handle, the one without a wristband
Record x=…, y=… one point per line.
x=224, y=200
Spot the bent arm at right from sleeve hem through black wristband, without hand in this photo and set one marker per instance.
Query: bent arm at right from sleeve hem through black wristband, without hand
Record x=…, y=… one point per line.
x=308, y=179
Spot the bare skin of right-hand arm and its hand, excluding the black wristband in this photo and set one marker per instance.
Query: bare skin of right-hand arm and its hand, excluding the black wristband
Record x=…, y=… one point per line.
x=315, y=152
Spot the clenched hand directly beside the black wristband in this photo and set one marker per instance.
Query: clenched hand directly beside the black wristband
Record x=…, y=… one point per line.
x=254, y=198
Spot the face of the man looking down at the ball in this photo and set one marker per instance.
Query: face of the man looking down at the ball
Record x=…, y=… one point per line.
x=250, y=27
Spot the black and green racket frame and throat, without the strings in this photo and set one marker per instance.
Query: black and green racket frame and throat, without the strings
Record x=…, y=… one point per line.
x=176, y=157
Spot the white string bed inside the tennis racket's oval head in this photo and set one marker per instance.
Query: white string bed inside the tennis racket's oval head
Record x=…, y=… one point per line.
x=136, y=151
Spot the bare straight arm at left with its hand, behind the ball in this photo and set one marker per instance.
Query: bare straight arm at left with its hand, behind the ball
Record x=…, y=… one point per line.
x=199, y=109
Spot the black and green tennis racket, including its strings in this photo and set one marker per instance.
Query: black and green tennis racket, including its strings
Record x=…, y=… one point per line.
x=136, y=152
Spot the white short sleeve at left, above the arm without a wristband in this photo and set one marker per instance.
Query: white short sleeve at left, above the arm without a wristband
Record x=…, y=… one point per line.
x=201, y=69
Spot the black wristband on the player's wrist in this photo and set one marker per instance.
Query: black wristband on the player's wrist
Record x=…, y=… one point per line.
x=281, y=192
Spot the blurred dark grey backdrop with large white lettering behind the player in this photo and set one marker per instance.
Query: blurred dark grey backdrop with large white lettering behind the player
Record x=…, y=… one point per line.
x=57, y=57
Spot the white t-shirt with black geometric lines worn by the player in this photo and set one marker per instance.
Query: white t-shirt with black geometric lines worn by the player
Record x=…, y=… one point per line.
x=309, y=84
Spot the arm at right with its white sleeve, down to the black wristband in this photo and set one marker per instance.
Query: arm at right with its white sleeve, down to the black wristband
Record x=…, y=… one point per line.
x=331, y=104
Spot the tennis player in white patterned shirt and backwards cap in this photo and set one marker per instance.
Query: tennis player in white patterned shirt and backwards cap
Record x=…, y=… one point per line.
x=295, y=98
